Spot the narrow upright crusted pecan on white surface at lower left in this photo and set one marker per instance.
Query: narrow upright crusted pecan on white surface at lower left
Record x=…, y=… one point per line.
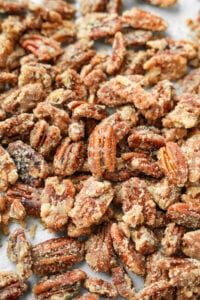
x=19, y=251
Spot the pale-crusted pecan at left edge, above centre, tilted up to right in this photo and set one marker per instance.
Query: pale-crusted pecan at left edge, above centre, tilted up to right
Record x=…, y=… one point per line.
x=24, y=99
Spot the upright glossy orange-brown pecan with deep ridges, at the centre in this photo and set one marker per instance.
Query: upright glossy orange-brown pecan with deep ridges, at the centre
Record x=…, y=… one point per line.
x=102, y=149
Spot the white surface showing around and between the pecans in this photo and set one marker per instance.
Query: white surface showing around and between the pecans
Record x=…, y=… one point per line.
x=176, y=18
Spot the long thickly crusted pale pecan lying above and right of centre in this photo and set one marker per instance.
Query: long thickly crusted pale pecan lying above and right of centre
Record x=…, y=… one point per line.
x=121, y=90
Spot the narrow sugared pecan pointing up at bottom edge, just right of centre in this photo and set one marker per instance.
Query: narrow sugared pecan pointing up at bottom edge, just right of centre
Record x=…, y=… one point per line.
x=123, y=283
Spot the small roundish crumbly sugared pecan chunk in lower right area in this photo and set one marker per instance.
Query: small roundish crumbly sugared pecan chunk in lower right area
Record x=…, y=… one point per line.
x=145, y=240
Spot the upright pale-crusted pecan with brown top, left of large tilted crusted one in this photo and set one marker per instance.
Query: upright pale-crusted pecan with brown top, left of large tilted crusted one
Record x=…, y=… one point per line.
x=56, y=202
